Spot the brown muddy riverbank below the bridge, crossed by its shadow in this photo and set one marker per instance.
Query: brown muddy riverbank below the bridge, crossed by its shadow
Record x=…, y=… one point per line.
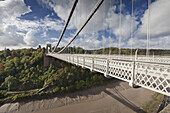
x=114, y=97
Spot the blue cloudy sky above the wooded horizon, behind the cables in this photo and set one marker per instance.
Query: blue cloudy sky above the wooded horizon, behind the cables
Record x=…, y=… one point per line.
x=29, y=23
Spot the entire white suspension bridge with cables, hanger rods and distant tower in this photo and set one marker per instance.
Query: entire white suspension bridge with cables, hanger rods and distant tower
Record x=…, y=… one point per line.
x=149, y=72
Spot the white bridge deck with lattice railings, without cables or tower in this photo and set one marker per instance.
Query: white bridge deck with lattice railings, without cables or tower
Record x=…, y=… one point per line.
x=149, y=72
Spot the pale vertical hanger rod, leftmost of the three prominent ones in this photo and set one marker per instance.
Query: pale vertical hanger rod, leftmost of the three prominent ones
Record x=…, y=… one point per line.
x=120, y=27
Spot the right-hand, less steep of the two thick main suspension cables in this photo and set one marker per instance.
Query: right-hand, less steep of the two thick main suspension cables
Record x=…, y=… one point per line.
x=89, y=17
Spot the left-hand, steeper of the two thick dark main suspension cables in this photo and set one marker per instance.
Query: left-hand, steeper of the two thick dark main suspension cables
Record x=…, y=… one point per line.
x=66, y=24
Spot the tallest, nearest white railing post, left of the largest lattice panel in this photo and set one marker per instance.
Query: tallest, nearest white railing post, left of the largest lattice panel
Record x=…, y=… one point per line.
x=132, y=82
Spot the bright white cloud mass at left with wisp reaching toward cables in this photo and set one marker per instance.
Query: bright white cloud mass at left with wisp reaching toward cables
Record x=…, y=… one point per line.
x=17, y=33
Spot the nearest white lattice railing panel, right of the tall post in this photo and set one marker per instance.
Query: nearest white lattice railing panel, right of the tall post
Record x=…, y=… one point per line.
x=153, y=76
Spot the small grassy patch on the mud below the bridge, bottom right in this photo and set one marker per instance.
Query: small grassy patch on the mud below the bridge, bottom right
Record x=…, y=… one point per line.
x=153, y=105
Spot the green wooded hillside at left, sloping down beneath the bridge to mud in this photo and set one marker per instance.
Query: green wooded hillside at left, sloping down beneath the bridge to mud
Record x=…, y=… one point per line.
x=23, y=70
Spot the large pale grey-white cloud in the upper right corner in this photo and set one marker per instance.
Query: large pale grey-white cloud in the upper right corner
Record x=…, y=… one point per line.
x=159, y=19
